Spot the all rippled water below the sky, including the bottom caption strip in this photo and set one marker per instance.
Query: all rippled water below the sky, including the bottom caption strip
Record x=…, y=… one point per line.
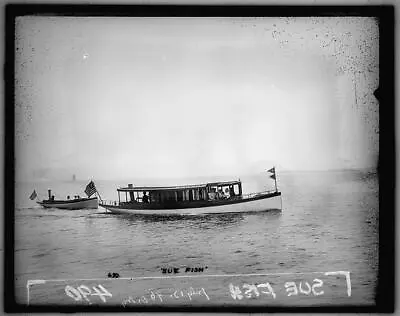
x=329, y=223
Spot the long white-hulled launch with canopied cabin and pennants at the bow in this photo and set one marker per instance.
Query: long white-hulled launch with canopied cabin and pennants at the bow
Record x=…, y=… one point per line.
x=207, y=198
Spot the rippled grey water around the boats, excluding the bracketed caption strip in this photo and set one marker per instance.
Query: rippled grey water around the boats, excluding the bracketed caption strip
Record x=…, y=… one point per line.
x=329, y=222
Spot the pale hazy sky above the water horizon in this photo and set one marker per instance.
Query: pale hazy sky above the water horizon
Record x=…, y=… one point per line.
x=116, y=98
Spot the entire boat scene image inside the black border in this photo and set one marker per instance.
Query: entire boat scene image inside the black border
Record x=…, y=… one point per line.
x=196, y=161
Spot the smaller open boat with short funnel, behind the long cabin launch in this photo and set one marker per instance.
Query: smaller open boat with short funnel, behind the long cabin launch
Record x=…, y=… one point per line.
x=76, y=203
